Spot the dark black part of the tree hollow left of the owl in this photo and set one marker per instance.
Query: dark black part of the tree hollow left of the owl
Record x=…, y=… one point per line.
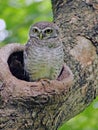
x=16, y=65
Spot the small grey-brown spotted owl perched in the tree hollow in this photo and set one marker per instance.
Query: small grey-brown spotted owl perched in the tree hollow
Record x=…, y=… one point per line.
x=43, y=54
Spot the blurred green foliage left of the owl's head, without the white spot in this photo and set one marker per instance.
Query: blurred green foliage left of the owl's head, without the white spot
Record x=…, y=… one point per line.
x=20, y=14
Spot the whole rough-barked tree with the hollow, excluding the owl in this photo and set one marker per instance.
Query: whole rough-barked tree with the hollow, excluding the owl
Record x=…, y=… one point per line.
x=45, y=105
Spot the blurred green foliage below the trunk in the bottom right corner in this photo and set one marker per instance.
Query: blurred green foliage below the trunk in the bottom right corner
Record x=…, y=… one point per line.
x=87, y=120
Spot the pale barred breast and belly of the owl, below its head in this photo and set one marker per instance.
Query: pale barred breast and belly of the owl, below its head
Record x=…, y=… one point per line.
x=44, y=62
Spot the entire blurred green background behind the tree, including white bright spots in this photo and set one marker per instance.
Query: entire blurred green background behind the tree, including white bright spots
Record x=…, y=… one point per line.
x=15, y=20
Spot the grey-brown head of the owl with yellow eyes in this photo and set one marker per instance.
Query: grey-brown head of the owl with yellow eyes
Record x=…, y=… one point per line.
x=44, y=31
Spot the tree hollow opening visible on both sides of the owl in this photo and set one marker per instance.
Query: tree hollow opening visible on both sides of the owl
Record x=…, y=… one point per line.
x=16, y=66
